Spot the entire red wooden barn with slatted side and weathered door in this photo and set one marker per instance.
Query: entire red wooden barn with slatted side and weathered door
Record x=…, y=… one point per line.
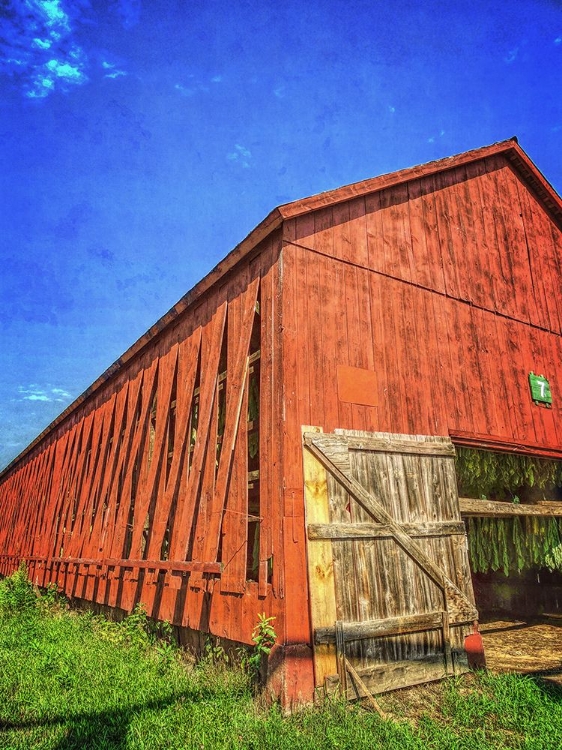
x=282, y=441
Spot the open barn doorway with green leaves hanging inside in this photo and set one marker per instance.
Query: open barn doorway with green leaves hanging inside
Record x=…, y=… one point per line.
x=512, y=508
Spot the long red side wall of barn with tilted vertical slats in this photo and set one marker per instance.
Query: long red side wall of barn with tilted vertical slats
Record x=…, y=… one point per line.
x=119, y=478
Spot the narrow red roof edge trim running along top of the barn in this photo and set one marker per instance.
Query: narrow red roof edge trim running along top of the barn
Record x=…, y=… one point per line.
x=510, y=149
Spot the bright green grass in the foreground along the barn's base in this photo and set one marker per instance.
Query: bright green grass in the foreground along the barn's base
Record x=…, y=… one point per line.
x=70, y=680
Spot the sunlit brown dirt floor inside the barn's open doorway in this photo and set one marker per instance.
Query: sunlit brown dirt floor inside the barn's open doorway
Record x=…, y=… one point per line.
x=529, y=647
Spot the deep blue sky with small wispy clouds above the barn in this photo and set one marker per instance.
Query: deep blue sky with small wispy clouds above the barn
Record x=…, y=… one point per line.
x=142, y=140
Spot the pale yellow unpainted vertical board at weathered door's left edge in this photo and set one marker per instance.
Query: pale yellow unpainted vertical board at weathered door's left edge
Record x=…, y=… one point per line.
x=322, y=594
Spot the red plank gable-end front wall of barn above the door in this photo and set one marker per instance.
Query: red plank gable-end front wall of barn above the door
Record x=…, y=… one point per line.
x=447, y=289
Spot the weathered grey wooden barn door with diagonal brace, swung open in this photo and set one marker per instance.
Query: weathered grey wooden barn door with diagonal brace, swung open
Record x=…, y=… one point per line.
x=390, y=588
